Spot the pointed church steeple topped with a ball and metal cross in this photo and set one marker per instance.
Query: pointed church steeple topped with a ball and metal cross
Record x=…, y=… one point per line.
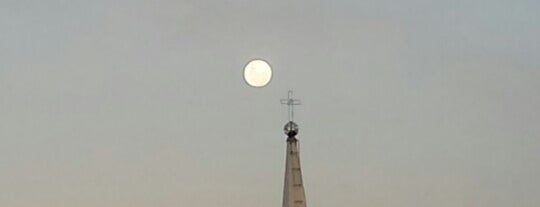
x=293, y=189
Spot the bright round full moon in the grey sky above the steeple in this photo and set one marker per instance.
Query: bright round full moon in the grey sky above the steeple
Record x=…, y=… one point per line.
x=257, y=73
